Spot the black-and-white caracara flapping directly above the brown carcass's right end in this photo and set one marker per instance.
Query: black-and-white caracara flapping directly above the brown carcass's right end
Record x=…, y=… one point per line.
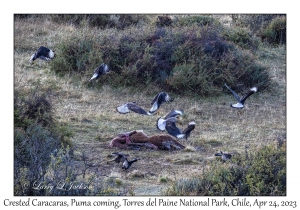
x=172, y=129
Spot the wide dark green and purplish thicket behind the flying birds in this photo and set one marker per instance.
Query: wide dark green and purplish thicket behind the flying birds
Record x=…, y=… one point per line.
x=155, y=56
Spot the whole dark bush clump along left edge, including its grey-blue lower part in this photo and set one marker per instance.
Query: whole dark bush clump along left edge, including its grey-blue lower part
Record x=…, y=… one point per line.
x=36, y=136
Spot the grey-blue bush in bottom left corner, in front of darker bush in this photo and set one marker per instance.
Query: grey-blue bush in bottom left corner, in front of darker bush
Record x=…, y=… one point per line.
x=32, y=149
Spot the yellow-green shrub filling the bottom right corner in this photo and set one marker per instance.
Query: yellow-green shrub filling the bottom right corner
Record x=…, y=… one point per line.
x=259, y=173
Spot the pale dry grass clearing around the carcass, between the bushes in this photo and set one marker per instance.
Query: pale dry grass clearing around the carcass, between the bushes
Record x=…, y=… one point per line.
x=91, y=114
